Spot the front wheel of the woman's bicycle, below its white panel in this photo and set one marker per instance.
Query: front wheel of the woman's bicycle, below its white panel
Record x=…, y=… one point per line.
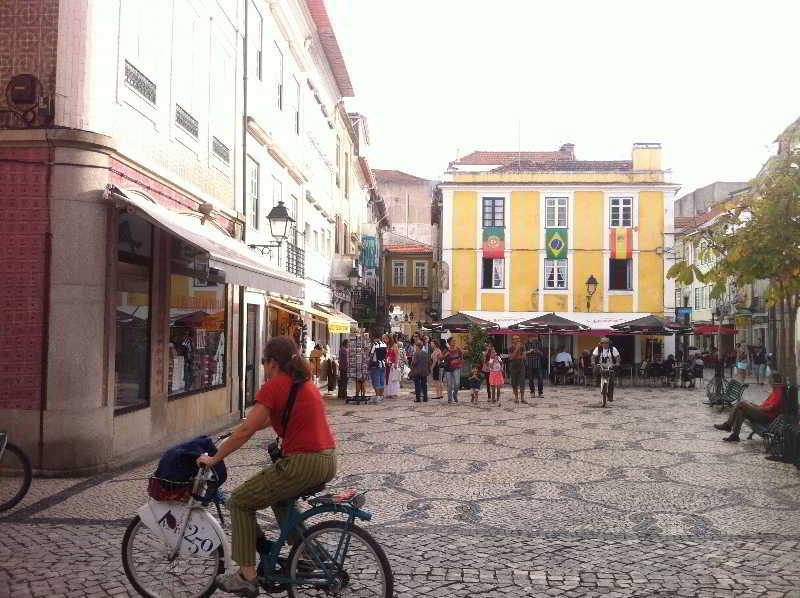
x=145, y=558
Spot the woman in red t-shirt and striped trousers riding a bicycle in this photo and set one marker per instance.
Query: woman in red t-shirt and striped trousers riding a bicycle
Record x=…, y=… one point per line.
x=308, y=456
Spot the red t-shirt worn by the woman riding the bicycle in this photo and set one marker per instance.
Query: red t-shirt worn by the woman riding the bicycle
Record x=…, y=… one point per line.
x=309, y=431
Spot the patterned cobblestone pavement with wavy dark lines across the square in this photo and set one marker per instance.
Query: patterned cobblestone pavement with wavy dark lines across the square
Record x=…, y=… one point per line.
x=559, y=498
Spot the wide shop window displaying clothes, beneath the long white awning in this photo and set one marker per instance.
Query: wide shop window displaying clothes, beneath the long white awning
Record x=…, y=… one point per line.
x=197, y=322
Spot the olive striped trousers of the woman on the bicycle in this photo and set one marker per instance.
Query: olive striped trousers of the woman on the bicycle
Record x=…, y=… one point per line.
x=270, y=488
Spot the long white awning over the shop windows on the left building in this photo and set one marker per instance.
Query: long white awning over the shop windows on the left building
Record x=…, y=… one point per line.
x=226, y=254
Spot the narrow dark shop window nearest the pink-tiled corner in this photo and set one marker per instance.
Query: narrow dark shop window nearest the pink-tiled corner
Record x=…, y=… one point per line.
x=134, y=272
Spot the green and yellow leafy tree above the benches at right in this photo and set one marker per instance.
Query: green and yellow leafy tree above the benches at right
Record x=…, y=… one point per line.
x=758, y=239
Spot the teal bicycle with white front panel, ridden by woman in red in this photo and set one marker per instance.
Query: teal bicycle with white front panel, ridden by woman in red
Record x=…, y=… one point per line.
x=178, y=549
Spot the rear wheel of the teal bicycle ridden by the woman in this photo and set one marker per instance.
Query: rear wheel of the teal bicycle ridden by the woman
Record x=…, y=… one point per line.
x=360, y=568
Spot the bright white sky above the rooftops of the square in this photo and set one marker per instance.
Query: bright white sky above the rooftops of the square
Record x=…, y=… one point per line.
x=713, y=81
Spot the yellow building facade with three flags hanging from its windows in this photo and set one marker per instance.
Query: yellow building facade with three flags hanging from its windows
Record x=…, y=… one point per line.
x=525, y=231
